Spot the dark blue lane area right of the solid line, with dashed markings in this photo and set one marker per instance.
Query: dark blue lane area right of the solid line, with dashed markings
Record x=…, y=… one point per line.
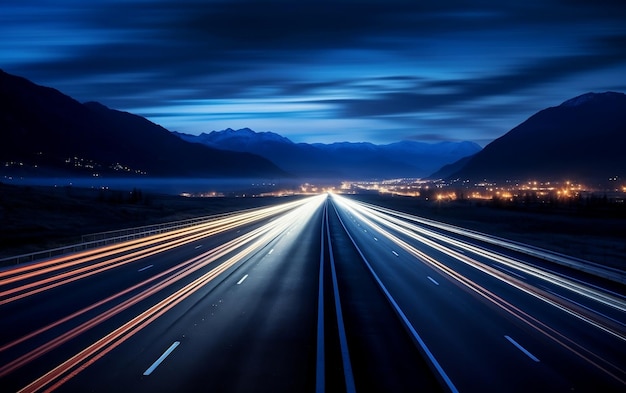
x=467, y=324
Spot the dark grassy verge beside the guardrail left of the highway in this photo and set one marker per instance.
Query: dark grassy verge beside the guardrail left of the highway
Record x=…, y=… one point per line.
x=39, y=218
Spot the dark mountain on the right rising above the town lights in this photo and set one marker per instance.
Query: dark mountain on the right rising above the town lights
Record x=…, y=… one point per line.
x=584, y=139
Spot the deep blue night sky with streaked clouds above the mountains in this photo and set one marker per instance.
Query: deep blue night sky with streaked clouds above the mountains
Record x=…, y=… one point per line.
x=321, y=71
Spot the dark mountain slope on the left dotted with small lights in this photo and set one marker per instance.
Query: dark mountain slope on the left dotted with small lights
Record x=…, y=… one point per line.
x=47, y=132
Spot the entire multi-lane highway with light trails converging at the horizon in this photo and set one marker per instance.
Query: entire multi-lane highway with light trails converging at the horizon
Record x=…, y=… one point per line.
x=319, y=294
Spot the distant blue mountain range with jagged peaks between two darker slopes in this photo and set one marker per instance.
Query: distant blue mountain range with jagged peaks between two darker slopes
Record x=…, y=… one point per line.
x=339, y=160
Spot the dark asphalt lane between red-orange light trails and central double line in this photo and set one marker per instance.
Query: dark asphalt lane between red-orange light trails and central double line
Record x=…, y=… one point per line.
x=258, y=335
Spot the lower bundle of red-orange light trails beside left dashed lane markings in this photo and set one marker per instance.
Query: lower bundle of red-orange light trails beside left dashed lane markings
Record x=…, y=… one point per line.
x=244, y=246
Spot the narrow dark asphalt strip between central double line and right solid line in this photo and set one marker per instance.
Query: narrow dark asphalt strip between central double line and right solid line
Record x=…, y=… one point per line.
x=383, y=356
